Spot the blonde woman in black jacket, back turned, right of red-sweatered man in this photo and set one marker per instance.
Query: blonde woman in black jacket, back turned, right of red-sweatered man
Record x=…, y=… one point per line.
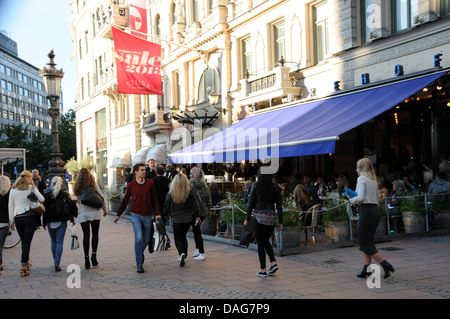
x=181, y=205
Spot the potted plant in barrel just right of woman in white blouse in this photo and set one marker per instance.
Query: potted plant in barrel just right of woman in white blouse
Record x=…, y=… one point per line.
x=413, y=213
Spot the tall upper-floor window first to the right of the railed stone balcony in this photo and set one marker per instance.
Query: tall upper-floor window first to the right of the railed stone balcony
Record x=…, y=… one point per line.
x=321, y=31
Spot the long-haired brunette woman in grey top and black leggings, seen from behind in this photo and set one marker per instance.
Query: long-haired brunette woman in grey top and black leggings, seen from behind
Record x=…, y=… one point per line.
x=89, y=217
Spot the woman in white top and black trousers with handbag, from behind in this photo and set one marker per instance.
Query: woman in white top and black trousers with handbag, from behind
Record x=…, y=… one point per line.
x=22, y=217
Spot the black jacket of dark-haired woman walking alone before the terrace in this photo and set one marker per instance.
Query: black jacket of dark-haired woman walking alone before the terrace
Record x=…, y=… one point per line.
x=258, y=202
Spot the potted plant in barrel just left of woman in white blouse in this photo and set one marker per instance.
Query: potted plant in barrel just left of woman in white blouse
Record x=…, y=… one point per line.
x=336, y=220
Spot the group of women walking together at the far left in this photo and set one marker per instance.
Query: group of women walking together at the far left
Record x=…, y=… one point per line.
x=16, y=213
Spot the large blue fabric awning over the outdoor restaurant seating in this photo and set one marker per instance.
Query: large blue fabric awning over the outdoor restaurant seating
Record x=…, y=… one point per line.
x=310, y=128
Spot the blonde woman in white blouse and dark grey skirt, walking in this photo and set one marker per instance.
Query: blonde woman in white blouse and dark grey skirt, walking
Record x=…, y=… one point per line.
x=367, y=199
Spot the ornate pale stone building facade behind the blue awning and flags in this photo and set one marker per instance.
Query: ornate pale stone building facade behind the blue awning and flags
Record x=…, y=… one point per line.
x=258, y=55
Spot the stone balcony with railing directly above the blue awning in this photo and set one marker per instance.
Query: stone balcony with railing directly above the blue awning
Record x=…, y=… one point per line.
x=274, y=87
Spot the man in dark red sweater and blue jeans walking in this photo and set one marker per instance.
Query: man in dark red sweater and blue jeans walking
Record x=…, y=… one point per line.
x=144, y=204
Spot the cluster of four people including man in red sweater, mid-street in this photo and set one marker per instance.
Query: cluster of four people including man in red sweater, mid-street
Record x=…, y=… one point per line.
x=186, y=201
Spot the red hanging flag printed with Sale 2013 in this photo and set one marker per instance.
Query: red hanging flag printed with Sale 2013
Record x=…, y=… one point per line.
x=138, y=64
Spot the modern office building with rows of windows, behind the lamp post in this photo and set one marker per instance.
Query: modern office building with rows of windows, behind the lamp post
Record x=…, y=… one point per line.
x=22, y=98
